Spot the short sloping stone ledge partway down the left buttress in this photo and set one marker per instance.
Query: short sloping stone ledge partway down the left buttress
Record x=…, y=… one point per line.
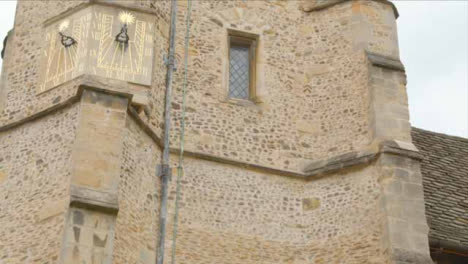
x=82, y=197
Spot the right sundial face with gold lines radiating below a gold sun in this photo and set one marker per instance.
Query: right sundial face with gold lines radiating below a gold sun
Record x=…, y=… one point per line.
x=122, y=45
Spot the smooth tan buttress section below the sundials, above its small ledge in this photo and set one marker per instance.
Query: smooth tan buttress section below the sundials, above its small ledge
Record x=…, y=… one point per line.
x=99, y=140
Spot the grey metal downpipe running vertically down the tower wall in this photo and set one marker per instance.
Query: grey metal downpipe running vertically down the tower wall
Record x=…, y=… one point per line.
x=165, y=169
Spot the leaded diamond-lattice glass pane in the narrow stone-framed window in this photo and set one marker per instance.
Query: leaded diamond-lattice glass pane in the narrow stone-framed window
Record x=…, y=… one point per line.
x=239, y=71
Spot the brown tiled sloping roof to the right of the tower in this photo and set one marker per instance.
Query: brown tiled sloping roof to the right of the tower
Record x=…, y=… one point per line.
x=445, y=180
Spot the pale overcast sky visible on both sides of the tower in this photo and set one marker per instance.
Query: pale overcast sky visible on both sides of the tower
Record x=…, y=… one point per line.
x=433, y=38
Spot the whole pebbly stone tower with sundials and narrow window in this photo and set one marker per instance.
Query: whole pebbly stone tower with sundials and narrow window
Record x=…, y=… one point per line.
x=297, y=137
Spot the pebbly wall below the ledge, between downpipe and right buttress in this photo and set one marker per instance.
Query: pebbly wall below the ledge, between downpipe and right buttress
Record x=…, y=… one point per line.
x=233, y=215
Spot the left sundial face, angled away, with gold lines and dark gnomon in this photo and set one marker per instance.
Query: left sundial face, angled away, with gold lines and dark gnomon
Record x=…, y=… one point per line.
x=62, y=56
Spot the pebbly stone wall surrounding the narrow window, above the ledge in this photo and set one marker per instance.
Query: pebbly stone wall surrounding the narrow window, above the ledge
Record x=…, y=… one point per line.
x=312, y=83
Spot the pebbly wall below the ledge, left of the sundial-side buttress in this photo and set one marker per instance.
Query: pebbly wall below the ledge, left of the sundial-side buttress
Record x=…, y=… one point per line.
x=35, y=170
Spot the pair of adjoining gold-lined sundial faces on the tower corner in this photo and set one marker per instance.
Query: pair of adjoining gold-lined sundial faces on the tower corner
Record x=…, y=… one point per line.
x=99, y=40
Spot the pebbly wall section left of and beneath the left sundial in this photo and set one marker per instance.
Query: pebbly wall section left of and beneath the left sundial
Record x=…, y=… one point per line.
x=21, y=99
